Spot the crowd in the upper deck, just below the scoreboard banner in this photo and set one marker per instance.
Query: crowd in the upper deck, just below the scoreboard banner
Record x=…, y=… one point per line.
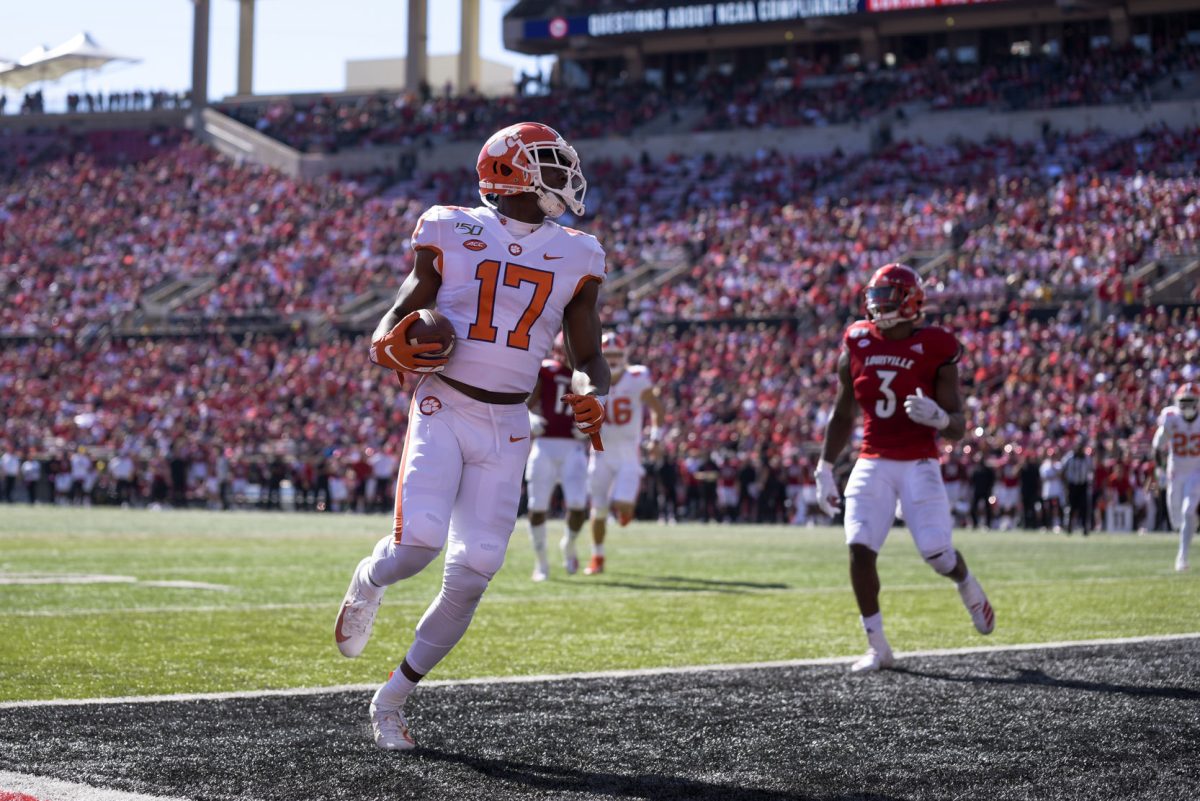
x=789, y=93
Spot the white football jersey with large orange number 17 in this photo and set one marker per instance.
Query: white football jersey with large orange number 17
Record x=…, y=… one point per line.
x=505, y=296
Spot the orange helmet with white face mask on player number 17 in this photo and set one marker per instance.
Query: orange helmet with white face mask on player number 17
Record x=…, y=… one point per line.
x=512, y=162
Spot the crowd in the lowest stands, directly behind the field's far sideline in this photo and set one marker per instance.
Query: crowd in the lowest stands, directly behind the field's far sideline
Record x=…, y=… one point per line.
x=242, y=420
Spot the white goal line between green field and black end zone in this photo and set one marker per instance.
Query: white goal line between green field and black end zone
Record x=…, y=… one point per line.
x=602, y=674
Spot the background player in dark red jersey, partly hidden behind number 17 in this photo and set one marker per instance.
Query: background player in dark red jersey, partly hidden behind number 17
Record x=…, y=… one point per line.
x=559, y=457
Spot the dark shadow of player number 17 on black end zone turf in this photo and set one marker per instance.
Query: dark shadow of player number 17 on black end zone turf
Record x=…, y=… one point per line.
x=569, y=780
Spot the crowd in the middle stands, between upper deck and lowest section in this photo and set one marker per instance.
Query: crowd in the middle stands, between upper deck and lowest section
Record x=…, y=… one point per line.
x=763, y=237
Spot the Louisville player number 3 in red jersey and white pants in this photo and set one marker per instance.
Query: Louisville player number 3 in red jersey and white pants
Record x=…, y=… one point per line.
x=907, y=382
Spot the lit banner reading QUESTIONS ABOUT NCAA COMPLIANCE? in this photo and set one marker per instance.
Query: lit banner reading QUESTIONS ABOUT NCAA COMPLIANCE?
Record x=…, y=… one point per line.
x=681, y=17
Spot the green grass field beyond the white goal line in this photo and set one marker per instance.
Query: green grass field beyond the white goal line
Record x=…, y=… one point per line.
x=109, y=603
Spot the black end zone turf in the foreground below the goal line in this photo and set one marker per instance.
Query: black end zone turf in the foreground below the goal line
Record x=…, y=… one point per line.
x=1096, y=722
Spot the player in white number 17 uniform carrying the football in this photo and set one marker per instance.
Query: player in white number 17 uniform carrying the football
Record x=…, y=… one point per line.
x=508, y=279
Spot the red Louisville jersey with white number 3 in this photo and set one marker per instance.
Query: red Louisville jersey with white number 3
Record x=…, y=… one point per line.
x=885, y=372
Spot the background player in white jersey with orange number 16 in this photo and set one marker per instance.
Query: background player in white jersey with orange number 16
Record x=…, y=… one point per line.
x=614, y=474
